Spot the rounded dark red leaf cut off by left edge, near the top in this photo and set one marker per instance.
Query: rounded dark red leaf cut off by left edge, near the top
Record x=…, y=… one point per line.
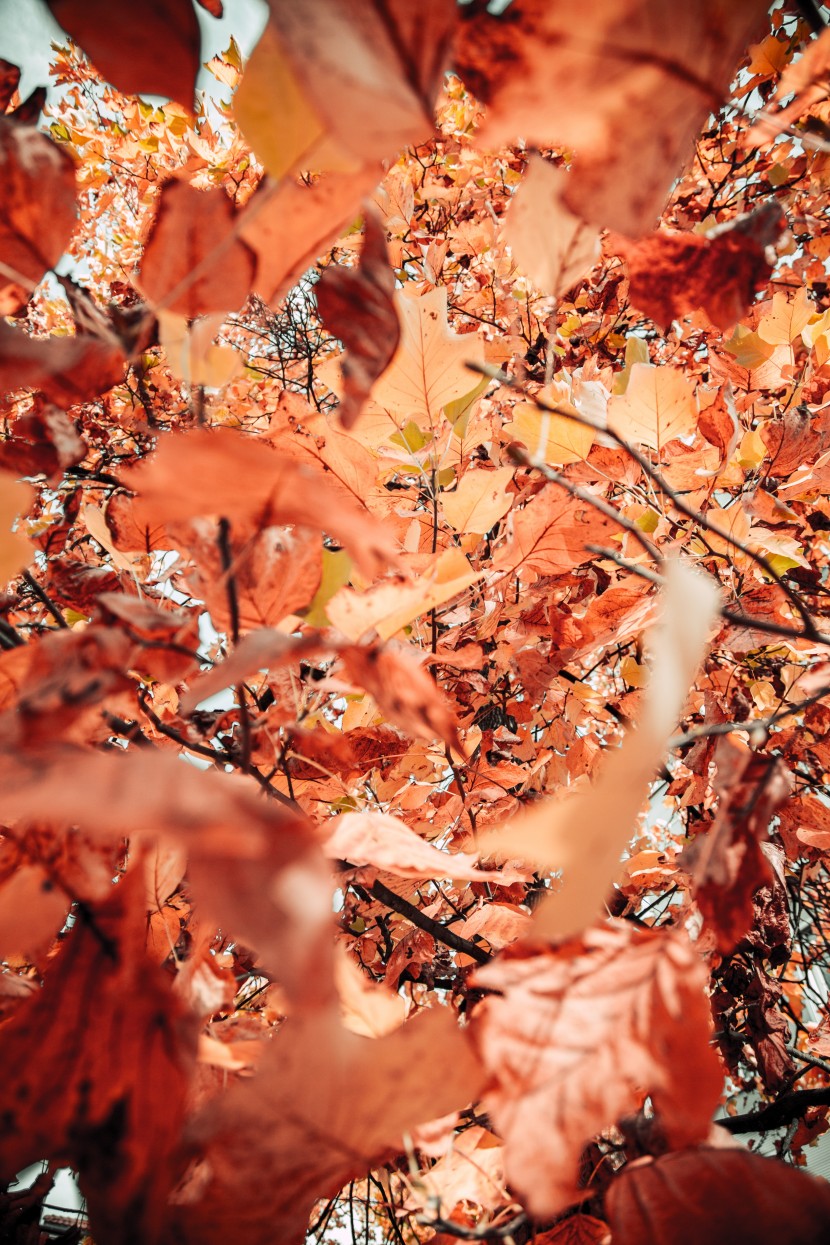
x=38, y=210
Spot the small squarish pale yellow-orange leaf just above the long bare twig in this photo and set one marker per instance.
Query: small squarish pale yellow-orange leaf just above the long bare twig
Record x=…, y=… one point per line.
x=658, y=406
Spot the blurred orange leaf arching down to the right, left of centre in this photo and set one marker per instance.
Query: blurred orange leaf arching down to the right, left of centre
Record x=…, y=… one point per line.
x=228, y=474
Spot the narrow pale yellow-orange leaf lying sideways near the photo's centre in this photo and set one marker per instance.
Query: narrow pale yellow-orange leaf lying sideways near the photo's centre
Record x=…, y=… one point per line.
x=394, y=606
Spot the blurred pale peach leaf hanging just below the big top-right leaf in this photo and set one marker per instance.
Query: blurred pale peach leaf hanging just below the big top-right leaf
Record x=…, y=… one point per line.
x=549, y=243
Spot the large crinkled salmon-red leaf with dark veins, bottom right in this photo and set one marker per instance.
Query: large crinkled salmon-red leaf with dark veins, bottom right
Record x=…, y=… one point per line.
x=578, y=1035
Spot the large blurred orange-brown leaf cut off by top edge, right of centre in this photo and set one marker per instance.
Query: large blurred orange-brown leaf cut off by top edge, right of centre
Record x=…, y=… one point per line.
x=589, y=83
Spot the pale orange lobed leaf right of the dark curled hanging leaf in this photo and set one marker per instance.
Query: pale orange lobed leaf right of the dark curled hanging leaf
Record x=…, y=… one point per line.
x=430, y=367
